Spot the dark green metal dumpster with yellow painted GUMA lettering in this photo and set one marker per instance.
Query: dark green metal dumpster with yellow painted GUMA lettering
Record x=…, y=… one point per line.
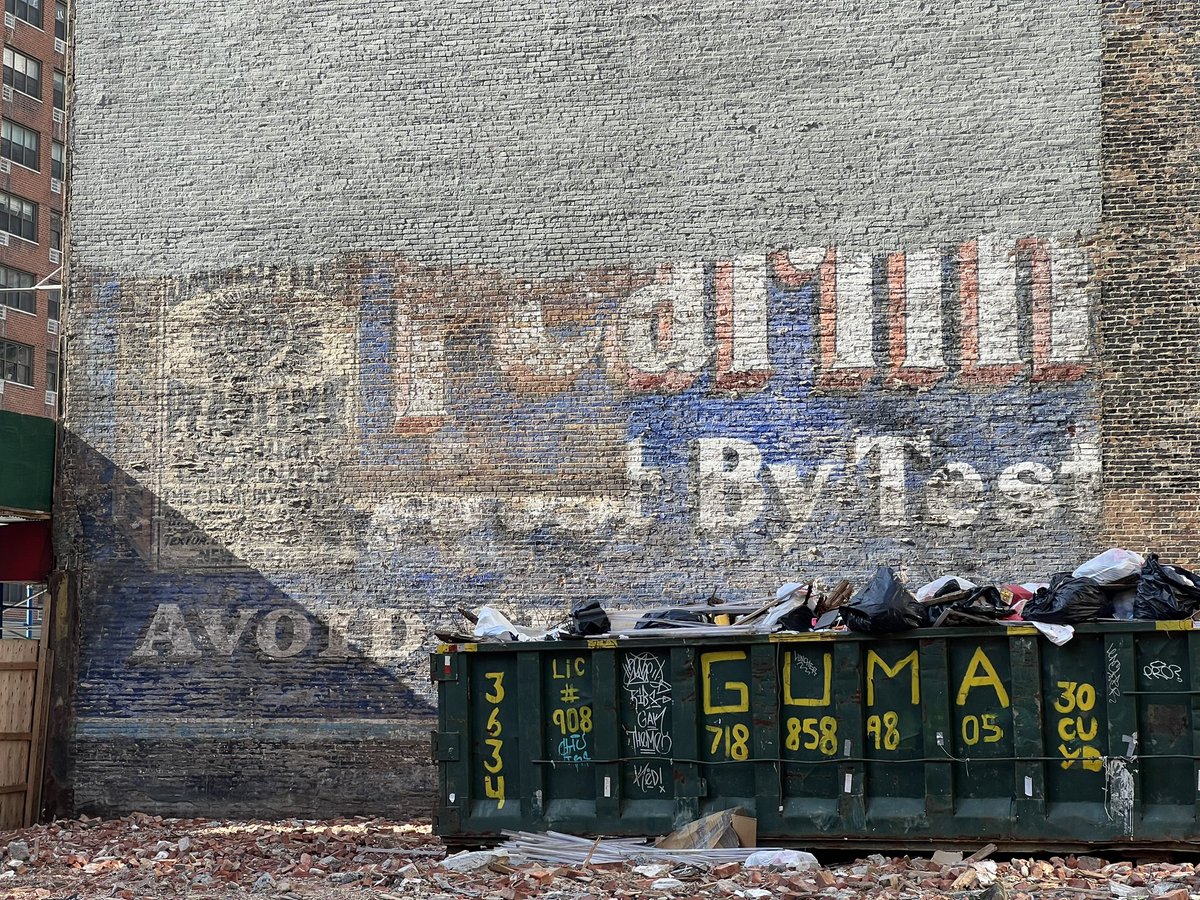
x=933, y=737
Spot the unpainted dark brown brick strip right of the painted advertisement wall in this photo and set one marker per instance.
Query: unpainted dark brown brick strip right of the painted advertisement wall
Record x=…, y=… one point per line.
x=1150, y=310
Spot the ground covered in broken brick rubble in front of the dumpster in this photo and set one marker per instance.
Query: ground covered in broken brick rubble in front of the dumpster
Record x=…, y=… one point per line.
x=142, y=856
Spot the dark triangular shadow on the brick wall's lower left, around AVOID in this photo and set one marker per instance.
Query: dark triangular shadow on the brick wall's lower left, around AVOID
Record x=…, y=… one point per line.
x=214, y=691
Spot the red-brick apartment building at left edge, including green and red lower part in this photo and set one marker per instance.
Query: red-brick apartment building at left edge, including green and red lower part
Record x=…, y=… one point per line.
x=33, y=176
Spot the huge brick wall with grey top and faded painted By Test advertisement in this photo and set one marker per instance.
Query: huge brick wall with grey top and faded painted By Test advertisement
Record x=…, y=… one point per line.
x=379, y=314
